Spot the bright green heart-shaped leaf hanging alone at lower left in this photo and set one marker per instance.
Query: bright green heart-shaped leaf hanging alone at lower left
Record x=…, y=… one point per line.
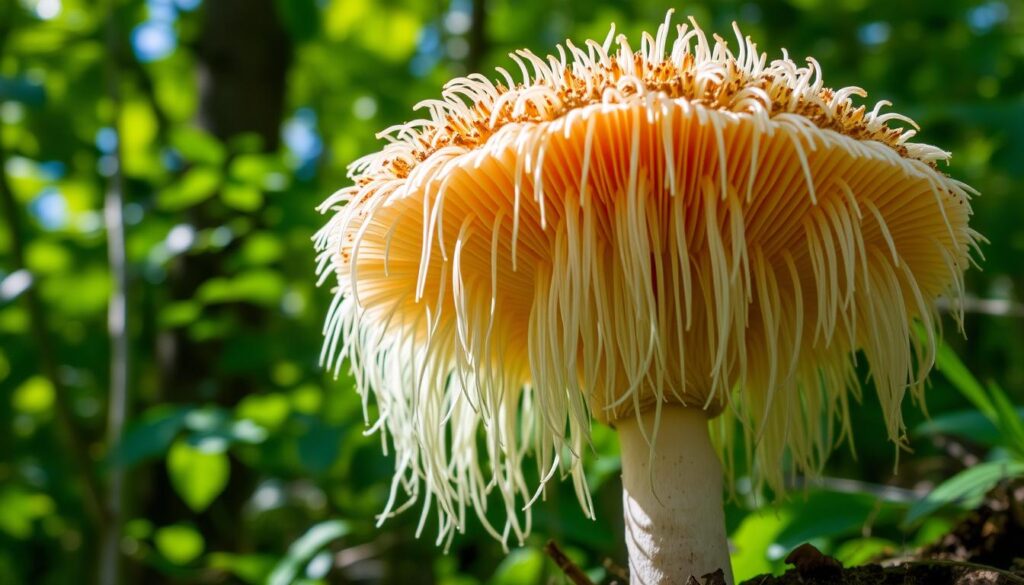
x=198, y=476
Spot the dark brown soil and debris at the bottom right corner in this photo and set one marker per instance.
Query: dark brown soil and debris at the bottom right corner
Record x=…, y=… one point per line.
x=986, y=549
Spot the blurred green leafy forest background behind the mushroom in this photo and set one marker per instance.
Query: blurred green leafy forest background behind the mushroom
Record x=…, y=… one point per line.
x=163, y=419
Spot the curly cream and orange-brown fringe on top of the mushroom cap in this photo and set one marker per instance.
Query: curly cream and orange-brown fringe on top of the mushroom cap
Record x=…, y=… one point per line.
x=475, y=108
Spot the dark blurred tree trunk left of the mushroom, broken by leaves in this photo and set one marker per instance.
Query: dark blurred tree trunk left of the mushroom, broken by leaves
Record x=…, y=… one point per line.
x=244, y=56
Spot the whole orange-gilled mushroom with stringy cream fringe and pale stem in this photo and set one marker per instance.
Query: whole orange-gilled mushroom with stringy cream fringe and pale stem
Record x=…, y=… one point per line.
x=691, y=244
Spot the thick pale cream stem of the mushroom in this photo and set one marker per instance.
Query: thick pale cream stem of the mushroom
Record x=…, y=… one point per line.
x=675, y=527
